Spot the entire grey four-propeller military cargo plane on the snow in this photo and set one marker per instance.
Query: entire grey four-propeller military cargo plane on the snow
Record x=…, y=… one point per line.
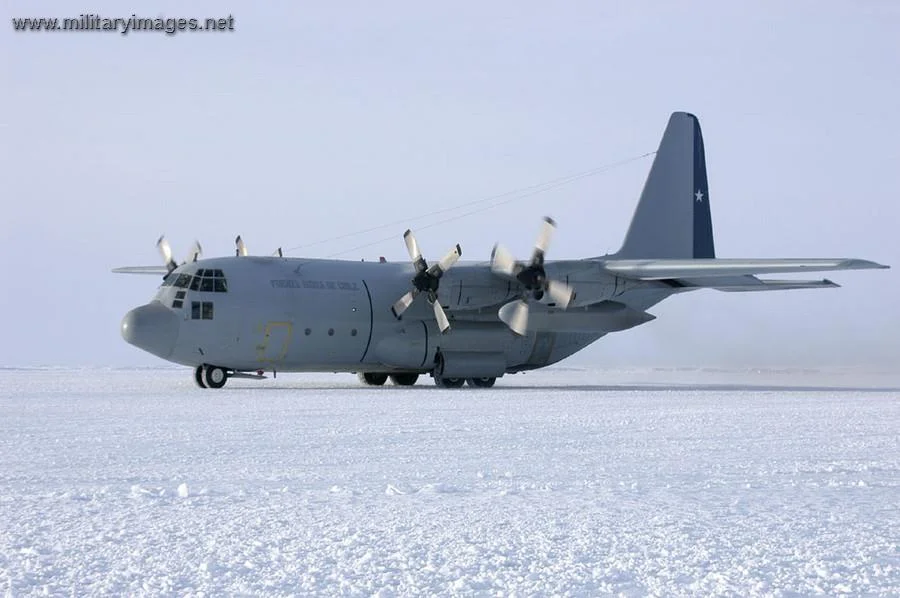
x=242, y=316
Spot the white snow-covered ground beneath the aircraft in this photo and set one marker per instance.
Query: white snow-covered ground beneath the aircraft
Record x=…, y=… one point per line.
x=572, y=482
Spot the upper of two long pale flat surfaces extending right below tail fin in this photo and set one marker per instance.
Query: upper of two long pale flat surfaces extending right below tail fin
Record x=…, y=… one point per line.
x=662, y=269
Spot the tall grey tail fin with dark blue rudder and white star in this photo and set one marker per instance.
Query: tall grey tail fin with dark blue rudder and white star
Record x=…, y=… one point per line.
x=672, y=219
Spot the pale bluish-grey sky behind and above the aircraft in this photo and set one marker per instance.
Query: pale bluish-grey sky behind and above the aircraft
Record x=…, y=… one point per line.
x=314, y=120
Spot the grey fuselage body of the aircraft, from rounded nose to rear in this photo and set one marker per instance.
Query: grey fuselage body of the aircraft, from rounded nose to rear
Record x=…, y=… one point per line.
x=295, y=315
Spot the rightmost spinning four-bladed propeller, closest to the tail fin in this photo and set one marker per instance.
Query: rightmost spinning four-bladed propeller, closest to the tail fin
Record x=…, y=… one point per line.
x=532, y=277
